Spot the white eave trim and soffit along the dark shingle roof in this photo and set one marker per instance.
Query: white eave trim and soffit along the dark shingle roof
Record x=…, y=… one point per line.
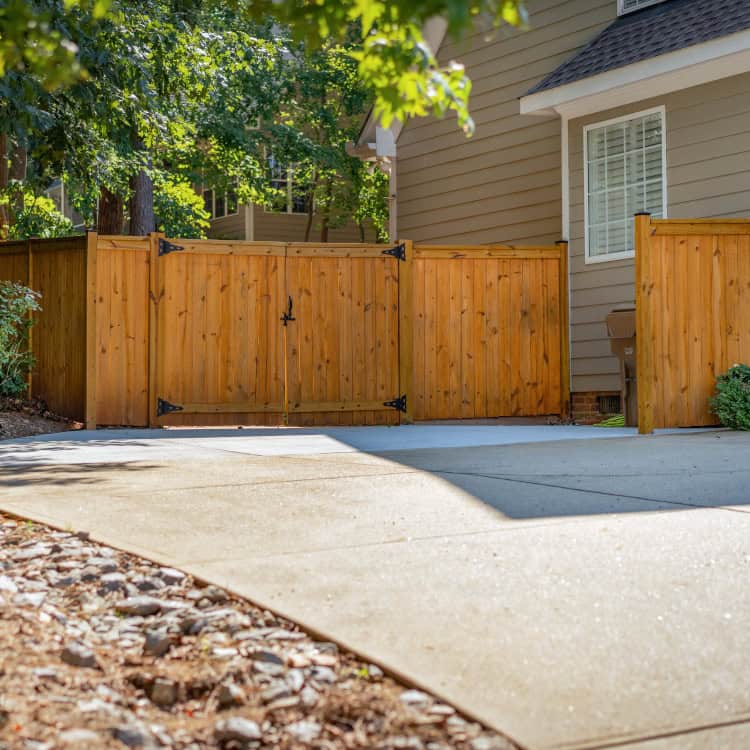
x=692, y=66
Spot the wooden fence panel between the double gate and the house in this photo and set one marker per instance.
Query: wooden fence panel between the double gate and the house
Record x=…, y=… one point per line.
x=489, y=332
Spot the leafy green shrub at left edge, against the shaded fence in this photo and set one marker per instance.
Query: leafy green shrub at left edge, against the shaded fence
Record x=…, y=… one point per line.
x=16, y=304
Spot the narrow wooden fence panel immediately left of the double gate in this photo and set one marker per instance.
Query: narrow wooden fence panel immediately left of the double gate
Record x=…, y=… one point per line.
x=122, y=340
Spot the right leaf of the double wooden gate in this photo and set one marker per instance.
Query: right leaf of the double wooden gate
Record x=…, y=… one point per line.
x=343, y=344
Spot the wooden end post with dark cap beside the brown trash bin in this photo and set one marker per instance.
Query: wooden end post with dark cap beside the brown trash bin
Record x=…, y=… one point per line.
x=644, y=343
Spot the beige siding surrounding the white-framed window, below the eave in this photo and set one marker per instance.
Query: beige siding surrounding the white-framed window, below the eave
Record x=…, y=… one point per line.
x=708, y=175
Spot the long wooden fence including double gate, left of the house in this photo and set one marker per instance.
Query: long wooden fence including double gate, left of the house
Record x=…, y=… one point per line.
x=198, y=332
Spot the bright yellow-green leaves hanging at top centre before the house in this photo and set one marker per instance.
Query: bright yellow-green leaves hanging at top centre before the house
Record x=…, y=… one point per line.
x=394, y=59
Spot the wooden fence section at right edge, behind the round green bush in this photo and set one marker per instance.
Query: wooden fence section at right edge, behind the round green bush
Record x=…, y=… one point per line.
x=692, y=315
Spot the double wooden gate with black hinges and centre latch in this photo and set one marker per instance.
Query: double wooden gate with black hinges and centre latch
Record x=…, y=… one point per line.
x=247, y=333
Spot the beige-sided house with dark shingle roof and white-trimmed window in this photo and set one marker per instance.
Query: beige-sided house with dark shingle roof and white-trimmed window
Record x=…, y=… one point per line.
x=600, y=110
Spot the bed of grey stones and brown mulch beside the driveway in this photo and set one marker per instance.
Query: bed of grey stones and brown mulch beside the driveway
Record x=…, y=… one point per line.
x=102, y=649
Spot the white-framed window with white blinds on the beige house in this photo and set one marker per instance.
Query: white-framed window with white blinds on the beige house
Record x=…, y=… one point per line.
x=624, y=174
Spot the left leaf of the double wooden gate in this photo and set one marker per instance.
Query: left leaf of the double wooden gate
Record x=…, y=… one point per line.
x=218, y=336
